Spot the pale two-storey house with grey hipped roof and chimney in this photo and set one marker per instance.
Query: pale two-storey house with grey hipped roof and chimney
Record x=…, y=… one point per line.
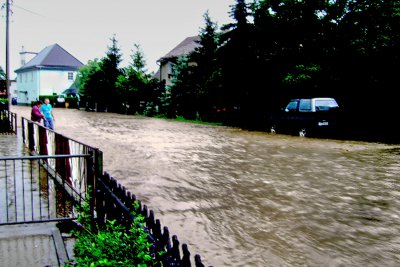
x=50, y=72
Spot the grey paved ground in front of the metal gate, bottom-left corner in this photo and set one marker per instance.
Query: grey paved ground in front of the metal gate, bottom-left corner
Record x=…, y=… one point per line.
x=32, y=245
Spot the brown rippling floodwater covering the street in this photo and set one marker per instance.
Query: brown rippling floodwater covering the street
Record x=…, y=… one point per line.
x=241, y=198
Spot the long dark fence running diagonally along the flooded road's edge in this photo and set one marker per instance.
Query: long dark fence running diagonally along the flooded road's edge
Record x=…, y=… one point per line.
x=110, y=200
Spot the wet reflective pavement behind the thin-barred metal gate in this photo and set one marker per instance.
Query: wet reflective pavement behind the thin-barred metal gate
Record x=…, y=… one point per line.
x=27, y=191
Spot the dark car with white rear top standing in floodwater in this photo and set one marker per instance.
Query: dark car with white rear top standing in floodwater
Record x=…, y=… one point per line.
x=305, y=116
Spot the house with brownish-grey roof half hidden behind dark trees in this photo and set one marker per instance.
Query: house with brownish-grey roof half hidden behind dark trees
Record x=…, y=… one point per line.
x=168, y=61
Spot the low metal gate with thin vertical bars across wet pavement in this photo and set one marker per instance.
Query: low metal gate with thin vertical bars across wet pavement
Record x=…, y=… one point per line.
x=31, y=190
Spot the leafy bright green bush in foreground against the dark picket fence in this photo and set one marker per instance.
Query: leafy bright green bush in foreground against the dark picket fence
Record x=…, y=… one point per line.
x=111, y=245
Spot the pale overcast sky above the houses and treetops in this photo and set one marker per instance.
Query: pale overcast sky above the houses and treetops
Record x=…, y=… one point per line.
x=84, y=27
